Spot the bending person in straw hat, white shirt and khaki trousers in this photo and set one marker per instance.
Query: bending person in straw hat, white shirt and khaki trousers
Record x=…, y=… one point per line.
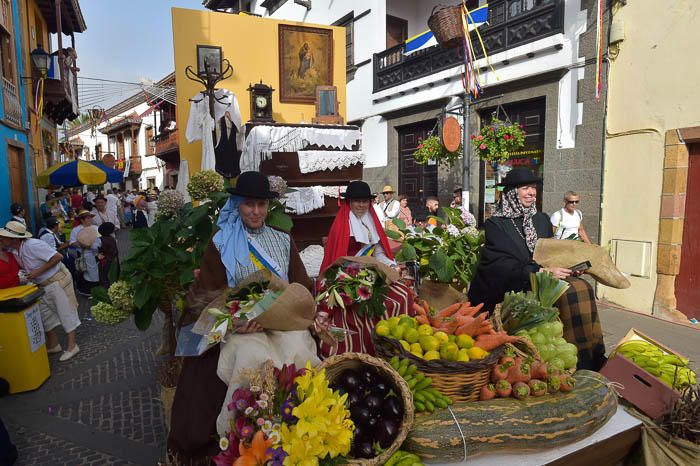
x=43, y=266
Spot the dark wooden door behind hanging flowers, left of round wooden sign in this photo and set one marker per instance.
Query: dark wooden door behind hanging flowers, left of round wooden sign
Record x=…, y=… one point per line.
x=415, y=180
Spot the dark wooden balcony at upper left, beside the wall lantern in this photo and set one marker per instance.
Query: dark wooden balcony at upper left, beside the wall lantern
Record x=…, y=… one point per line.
x=61, y=95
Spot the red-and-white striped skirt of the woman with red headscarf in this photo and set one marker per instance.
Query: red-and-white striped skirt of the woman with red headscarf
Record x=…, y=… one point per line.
x=398, y=302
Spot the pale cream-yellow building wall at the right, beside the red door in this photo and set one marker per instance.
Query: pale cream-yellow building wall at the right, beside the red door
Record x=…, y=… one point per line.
x=653, y=88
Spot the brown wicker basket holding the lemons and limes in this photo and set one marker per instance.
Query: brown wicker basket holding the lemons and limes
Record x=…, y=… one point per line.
x=461, y=381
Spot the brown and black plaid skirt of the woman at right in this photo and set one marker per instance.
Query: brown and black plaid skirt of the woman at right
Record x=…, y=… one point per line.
x=579, y=314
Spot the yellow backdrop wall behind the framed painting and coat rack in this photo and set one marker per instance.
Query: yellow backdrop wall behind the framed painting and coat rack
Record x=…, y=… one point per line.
x=250, y=44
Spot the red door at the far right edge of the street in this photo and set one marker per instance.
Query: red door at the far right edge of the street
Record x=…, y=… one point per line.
x=688, y=280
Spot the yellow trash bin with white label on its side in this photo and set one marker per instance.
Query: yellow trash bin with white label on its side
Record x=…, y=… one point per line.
x=23, y=359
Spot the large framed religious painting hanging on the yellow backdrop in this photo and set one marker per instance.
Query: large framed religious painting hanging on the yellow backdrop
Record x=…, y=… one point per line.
x=305, y=61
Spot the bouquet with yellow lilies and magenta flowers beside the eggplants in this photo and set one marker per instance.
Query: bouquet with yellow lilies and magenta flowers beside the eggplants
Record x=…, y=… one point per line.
x=286, y=417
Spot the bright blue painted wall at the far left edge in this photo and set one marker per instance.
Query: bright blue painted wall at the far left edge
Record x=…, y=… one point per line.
x=10, y=133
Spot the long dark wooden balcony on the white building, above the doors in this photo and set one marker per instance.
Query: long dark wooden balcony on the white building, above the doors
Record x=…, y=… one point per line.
x=509, y=26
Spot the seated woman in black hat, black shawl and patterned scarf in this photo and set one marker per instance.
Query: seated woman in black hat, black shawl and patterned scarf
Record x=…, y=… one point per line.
x=506, y=264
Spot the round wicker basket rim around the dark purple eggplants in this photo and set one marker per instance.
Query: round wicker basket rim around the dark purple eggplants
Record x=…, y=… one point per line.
x=337, y=364
